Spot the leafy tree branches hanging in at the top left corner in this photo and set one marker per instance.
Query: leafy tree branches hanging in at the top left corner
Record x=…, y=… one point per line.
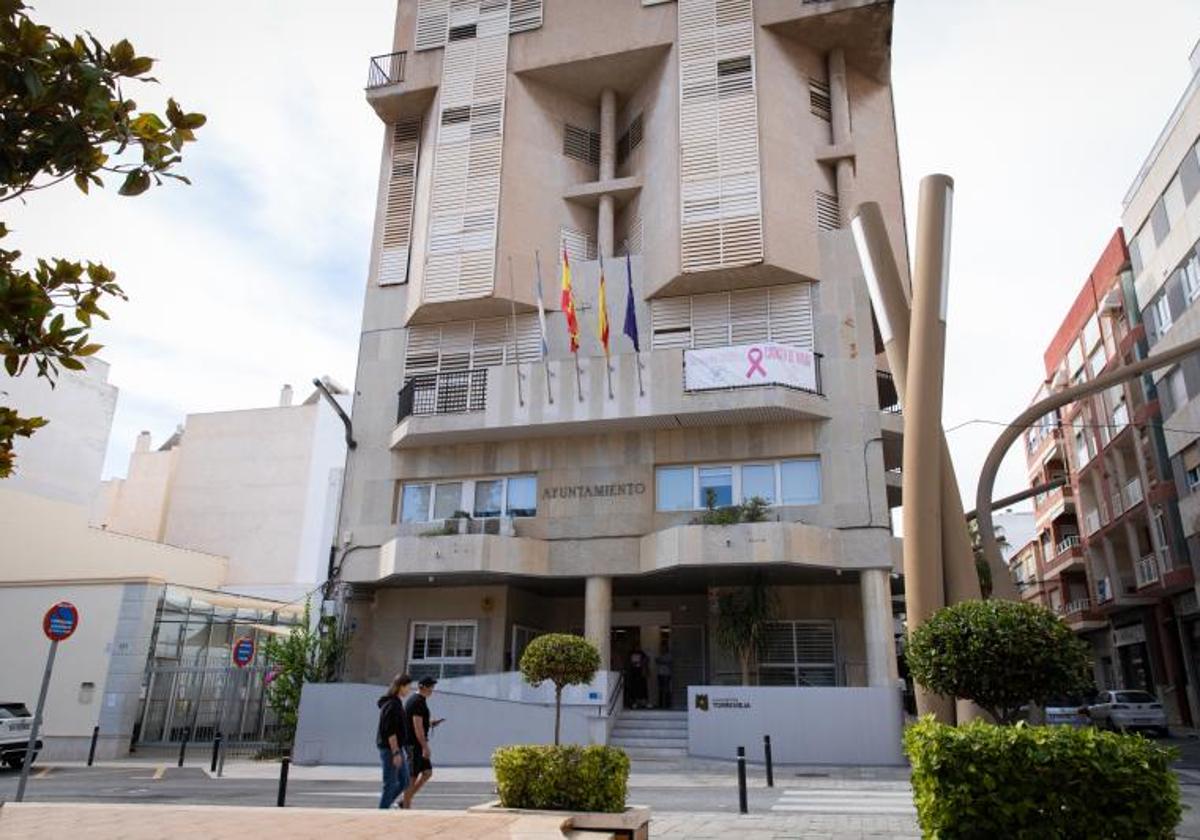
x=64, y=115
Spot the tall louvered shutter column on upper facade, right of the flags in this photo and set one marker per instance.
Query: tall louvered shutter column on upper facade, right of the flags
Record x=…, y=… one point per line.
x=721, y=200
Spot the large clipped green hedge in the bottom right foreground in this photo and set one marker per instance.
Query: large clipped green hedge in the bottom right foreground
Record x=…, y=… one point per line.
x=1058, y=783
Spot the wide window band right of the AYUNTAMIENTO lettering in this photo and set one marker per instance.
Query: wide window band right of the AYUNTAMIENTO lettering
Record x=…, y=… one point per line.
x=791, y=483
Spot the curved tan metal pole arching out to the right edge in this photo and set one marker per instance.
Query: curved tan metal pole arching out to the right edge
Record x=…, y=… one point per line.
x=1040, y=410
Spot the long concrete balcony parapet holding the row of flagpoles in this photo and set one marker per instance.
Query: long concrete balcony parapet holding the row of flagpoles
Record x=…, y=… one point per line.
x=491, y=404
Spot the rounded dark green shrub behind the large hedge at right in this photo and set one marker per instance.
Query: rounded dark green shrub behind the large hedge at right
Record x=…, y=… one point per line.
x=1000, y=655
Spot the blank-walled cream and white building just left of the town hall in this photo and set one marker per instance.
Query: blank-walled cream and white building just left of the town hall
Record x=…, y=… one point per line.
x=260, y=487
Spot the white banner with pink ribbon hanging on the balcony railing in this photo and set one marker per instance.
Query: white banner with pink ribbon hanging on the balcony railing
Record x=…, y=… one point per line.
x=746, y=365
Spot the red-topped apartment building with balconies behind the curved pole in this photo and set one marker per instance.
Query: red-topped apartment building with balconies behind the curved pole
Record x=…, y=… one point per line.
x=1108, y=555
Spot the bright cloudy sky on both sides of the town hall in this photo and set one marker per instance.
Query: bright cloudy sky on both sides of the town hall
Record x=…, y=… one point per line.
x=254, y=277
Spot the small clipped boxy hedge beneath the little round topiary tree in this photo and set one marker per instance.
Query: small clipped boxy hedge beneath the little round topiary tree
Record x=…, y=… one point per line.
x=562, y=778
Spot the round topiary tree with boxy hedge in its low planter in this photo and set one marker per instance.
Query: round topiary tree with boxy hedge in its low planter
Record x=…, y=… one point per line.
x=591, y=783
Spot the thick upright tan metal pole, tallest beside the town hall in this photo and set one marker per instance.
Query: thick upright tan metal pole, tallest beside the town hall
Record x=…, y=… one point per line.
x=922, y=477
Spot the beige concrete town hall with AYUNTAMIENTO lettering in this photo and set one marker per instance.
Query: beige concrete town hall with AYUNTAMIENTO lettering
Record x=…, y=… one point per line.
x=638, y=133
